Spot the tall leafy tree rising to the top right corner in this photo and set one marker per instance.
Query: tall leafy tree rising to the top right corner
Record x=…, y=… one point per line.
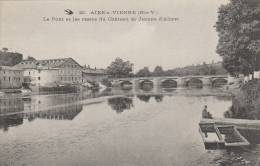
x=238, y=28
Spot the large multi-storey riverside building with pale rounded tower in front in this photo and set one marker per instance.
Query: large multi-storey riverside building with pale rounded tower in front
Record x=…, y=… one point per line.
x=51, y=71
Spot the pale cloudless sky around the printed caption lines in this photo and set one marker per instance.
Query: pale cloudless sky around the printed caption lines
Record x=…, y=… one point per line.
x=190, y=40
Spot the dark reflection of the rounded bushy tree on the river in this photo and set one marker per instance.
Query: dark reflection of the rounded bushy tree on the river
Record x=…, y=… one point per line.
x=120, y=104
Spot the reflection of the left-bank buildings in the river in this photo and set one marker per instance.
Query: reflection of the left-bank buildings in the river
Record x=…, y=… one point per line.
x=56, y=107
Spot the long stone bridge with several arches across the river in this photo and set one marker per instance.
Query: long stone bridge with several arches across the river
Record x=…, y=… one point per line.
x=172, y=81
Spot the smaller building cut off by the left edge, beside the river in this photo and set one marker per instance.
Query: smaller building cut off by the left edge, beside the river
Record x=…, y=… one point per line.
x=10, y=77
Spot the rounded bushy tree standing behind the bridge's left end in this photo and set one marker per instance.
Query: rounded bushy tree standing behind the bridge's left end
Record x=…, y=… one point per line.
x=120, y=68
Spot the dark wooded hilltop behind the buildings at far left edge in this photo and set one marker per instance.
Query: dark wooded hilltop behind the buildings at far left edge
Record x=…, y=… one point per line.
x=10, y=58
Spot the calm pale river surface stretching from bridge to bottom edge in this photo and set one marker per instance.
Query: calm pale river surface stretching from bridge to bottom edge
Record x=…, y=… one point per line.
x=101, y=130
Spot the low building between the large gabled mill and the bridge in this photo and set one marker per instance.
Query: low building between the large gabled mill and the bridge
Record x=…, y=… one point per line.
x=89, y=74
